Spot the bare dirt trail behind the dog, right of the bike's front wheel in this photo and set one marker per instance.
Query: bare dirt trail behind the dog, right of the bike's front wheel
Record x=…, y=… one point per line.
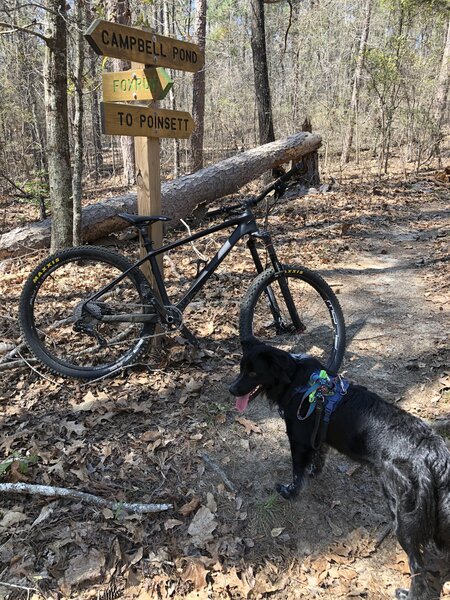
x=395, y=316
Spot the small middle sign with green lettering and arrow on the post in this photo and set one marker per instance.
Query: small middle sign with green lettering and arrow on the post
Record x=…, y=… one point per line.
x=136, y=84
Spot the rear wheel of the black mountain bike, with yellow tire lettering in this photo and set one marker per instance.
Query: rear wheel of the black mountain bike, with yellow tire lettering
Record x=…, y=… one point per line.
x=69, y=336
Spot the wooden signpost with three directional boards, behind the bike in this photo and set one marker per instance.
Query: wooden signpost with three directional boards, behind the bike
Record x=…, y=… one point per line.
x=147, y=80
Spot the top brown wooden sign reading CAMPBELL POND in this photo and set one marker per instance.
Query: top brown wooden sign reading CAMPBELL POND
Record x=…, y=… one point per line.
x=131, y=43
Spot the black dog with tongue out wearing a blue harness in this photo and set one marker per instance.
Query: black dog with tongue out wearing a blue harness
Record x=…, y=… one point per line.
x=412, y=462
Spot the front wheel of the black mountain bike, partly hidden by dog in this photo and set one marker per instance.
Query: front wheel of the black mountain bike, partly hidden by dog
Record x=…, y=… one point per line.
x=295, y=310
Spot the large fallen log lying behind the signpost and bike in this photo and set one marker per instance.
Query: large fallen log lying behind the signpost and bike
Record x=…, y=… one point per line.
x=179, y=197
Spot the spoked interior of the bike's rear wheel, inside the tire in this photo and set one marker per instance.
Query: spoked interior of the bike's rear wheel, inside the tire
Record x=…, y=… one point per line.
x=55, y=314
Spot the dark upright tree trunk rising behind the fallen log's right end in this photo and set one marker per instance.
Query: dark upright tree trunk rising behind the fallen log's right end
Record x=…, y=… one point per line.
x=261, y=73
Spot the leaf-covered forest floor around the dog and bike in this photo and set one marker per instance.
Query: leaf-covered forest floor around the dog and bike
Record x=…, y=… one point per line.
x=152, y=434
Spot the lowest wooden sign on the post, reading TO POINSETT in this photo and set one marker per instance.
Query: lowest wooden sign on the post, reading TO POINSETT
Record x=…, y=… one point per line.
x=142, y=121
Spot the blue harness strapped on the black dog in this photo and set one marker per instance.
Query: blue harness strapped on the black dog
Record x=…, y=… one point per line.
x=323, y=393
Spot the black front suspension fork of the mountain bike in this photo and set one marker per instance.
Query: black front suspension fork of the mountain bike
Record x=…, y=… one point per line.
x=280, y=325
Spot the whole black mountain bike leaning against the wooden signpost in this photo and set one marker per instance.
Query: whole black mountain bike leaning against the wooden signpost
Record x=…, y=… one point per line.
x=88, y=312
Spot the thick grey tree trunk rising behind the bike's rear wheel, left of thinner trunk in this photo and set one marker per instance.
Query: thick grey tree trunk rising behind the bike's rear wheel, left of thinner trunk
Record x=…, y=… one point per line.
x=55, y=81
